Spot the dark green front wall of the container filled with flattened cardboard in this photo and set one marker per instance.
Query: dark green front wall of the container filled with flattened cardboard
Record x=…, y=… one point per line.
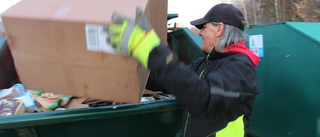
x=149, y=119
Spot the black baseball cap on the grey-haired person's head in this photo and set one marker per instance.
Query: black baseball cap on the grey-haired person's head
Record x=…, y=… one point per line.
x=225, y=13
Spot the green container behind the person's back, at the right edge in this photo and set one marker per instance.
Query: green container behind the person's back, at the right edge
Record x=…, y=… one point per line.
x=288, y=104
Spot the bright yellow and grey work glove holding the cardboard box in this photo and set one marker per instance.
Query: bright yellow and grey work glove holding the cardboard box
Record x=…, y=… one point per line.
x=136, y=39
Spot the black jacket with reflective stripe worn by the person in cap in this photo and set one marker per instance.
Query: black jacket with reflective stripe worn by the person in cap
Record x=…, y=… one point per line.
x=225, y=91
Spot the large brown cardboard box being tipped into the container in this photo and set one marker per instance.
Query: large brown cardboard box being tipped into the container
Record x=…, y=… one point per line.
x=48, y=42
